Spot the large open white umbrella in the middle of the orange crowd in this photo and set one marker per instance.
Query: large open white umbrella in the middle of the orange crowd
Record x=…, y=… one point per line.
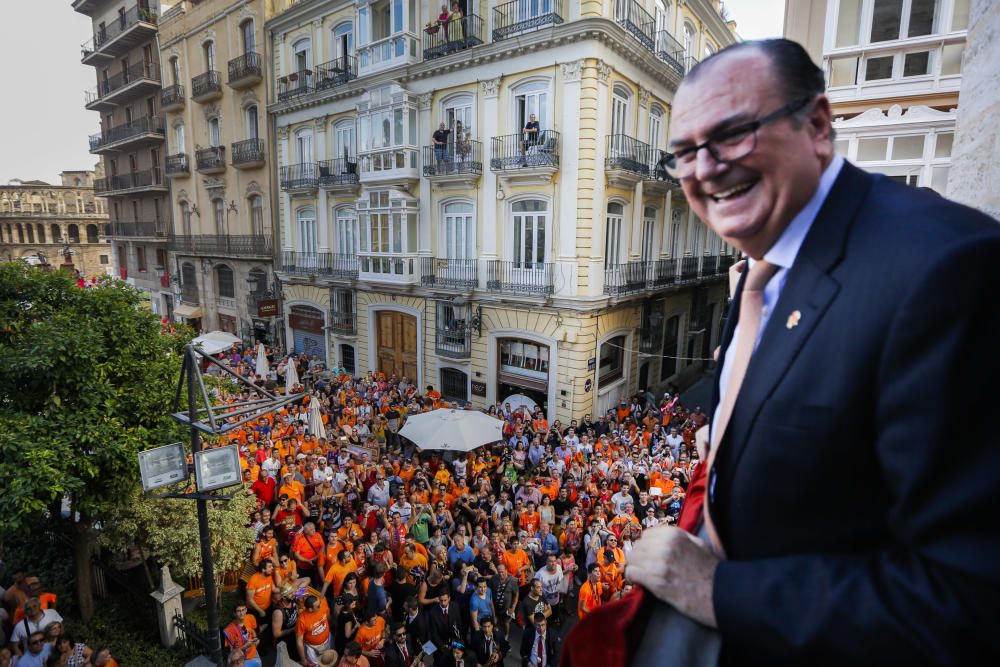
x=452, y=430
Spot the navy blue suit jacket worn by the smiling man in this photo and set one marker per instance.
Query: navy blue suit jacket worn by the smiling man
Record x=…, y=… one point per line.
x=857, y=486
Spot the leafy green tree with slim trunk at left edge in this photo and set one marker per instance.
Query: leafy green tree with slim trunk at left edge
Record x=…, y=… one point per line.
x=86, y=382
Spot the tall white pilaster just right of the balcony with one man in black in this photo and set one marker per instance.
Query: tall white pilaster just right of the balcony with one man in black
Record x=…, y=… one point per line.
x=569, y=177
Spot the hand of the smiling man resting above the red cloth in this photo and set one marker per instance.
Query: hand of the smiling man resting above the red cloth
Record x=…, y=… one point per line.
x=677, y=568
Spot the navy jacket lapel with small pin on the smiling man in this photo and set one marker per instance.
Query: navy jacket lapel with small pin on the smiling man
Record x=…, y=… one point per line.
x=809, y=289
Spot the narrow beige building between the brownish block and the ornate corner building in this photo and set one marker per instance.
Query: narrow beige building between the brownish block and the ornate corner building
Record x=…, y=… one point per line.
x=218, y=163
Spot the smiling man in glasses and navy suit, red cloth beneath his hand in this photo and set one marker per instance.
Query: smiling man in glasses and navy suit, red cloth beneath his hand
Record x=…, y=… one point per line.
x=846, y=510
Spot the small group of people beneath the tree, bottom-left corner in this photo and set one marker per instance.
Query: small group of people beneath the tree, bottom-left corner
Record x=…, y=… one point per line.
x=32, y=632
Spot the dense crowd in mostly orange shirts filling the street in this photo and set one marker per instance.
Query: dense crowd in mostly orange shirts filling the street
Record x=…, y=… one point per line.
x=370, y=551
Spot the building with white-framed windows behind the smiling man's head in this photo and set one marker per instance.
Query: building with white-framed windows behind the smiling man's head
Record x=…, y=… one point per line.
x=894, y=69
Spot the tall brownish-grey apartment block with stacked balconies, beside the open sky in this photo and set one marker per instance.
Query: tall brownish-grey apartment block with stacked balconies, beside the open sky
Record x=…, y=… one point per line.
x=124, y=53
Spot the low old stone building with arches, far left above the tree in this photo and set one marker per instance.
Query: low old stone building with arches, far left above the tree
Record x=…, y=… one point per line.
x=59, y=225
